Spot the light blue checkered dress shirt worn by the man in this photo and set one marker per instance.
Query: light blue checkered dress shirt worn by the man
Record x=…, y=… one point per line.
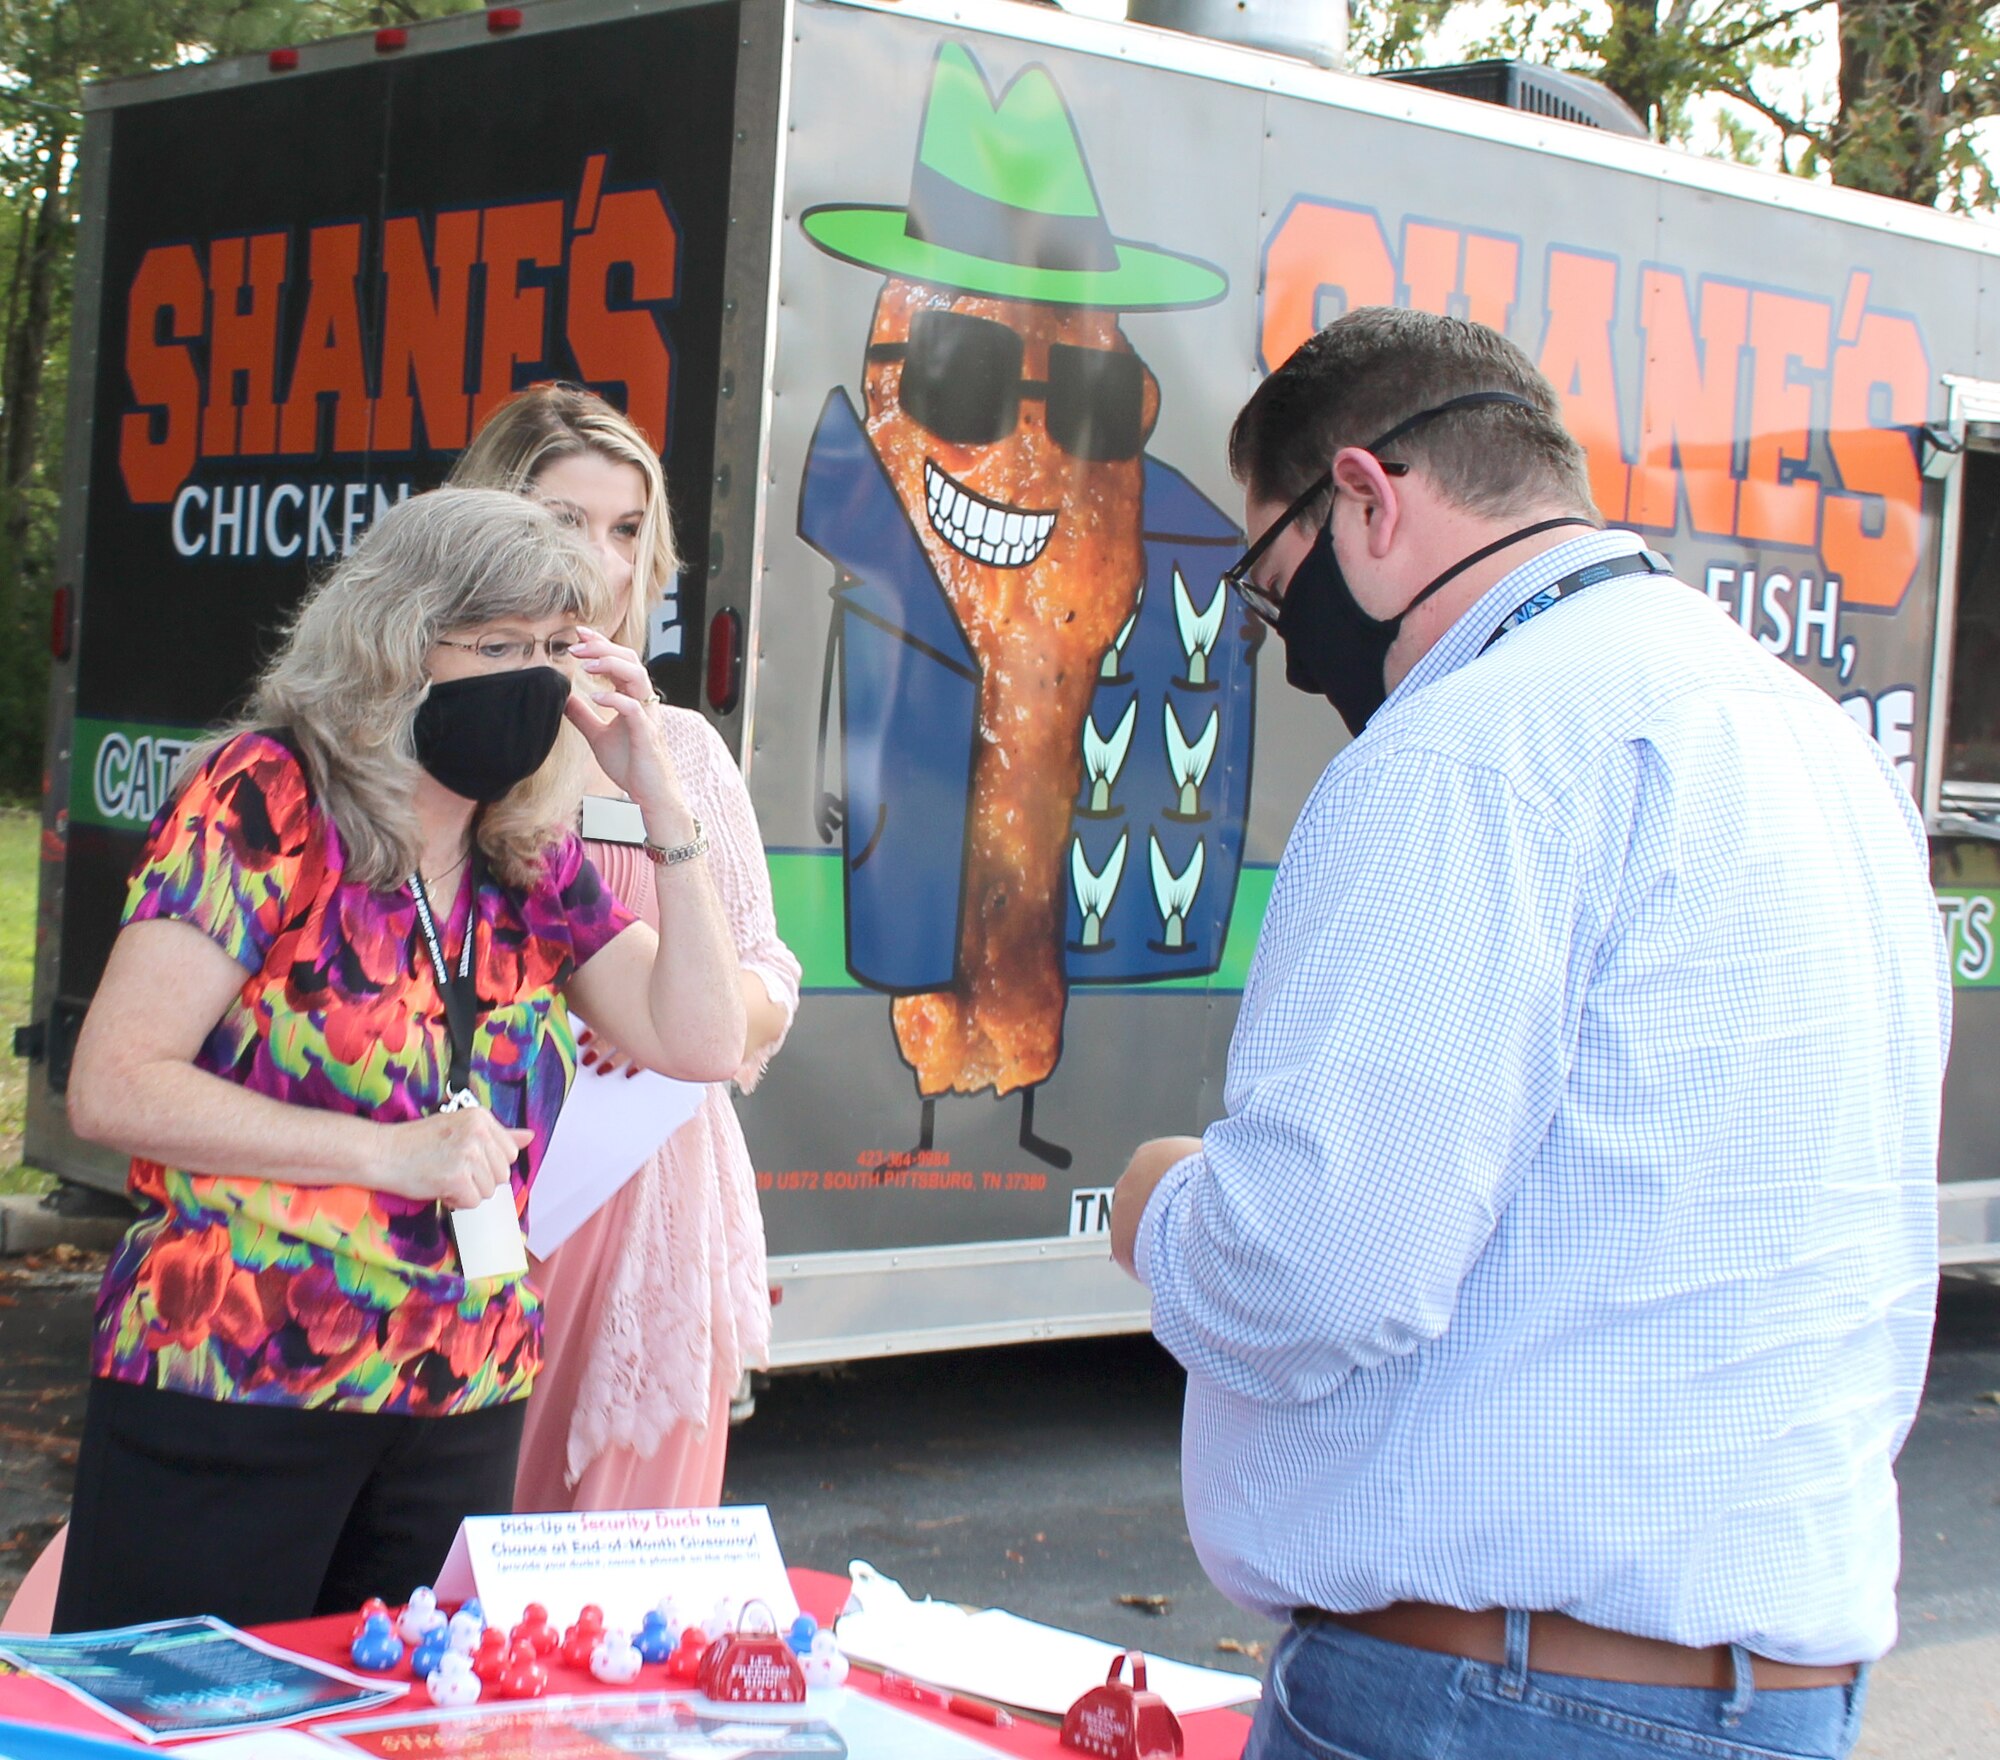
x=1571, y=1233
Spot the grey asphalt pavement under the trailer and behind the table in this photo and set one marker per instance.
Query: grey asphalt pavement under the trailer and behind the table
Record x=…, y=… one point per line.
x=1045, y=1479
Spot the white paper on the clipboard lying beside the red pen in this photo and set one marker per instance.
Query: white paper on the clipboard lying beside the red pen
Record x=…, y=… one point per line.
x=1001, y=1657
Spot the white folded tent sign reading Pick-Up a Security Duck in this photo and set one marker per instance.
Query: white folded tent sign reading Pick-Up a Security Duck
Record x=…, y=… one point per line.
x=619, y=1559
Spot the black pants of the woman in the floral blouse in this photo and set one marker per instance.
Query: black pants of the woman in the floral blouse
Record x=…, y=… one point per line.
x=267, y=1513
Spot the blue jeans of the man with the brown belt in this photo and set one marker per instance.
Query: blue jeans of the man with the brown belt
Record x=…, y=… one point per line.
x=1335, y=1695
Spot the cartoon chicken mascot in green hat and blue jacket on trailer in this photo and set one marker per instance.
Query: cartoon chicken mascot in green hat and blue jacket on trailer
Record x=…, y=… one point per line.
x=1045, y=693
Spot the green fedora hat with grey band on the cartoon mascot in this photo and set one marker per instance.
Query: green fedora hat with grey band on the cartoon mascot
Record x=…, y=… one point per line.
x=1001, y=203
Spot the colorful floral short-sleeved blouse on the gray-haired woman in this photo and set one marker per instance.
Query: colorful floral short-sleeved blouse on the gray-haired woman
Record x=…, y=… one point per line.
x=265, y=1293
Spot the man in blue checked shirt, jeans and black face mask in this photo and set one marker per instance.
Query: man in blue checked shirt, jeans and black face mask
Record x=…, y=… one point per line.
x=1557, y=1289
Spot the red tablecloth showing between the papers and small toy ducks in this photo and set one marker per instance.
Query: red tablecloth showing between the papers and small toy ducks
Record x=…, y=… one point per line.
x=1211, y=1735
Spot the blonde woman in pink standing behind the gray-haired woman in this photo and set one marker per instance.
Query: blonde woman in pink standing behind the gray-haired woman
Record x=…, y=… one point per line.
x=659, y=1303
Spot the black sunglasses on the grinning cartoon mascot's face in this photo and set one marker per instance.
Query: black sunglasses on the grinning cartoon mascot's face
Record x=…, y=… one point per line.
x=963, y=381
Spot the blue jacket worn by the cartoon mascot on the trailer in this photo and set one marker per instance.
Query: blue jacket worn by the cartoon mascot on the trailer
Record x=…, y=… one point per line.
x=909, y=727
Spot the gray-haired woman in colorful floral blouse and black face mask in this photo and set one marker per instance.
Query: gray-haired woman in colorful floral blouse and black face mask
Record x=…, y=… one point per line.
x=333, y=1019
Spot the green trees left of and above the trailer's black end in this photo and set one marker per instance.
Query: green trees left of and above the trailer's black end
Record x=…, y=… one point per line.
x=49, y=53
